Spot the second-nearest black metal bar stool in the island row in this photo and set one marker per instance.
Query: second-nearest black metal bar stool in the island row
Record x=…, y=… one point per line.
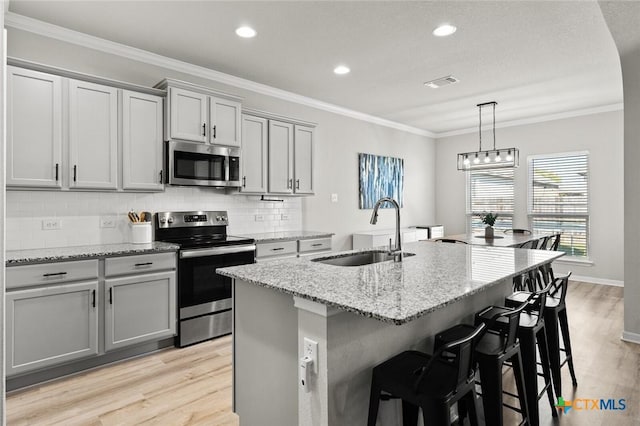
x=497, y=346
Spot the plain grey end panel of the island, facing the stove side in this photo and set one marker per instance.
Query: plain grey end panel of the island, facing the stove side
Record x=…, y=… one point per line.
x=265, y=354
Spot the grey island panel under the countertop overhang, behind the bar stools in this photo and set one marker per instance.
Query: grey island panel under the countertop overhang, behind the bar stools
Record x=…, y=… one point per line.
x=356, y=344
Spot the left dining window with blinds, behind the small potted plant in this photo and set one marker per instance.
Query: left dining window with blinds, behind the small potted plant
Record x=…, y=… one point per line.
x=490, y=191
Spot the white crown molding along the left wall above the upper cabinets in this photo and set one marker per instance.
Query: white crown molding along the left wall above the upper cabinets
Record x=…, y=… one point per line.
x=35, y=26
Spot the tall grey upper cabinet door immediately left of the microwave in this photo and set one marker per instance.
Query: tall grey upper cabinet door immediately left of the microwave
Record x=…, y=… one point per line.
x=141, y=141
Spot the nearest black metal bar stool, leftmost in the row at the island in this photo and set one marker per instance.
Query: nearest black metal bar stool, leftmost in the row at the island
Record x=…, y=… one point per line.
x=433, y=383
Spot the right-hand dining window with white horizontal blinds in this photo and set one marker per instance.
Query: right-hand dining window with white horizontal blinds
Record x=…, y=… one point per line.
x=559, y=199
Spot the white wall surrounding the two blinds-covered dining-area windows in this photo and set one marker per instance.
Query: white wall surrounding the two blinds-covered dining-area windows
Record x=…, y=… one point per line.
x=600, y=134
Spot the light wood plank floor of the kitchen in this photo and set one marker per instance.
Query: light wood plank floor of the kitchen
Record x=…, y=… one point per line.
x=192, y=386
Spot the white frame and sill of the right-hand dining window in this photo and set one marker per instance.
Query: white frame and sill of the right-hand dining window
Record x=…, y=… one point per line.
x=531, y=215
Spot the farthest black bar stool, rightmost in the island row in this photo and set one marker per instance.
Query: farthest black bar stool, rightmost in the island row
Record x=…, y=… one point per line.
x=555, y=314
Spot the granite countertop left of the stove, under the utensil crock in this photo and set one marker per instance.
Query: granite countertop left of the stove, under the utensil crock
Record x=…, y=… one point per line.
x=64, y=254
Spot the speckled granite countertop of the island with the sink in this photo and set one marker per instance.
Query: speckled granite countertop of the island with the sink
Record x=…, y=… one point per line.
x=438, y=275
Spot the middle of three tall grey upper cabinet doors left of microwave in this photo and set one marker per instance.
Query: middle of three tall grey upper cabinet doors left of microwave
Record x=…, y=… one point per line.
x=93, y=135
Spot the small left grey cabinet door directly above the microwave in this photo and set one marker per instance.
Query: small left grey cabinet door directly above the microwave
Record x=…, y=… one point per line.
x=188, y=115
